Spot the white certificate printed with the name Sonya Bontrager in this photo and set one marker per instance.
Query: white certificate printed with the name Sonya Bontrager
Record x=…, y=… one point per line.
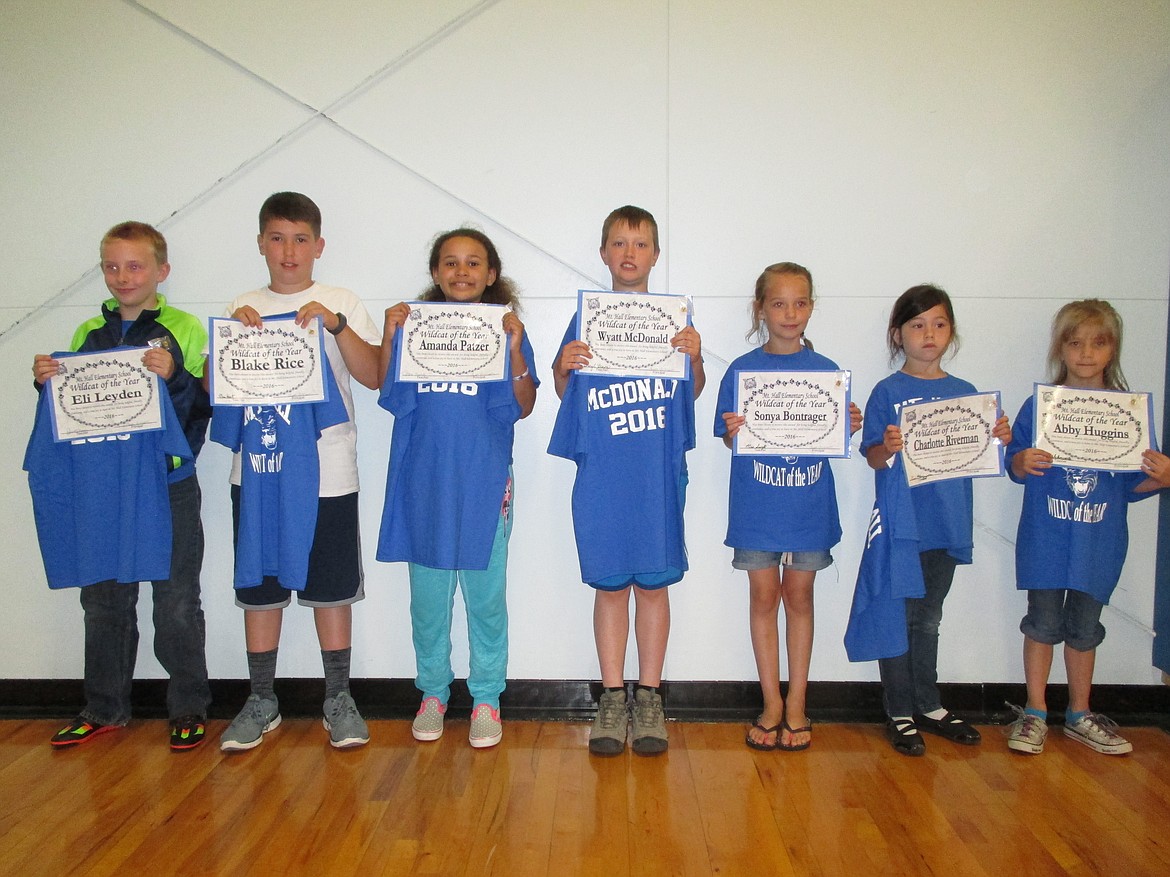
x=794, y=415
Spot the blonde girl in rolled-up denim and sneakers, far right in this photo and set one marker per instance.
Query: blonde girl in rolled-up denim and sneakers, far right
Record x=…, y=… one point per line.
x=1072, y=537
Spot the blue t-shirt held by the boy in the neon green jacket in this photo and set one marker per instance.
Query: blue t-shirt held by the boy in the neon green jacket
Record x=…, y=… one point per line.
x=102, y=507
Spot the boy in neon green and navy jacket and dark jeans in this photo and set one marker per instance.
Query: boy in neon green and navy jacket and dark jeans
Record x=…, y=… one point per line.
x=135, y=264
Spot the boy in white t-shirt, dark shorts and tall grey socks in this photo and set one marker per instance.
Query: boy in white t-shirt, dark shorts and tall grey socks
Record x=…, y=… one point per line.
x=291, y=243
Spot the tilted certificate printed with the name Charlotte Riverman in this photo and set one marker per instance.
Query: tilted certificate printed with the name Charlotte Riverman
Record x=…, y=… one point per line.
x=952, y=439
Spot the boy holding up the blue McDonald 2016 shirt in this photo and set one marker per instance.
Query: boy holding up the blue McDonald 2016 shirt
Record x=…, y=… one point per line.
x=630, y=450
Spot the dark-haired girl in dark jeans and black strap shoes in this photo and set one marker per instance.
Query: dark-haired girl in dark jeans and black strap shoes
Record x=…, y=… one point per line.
x=921, y=332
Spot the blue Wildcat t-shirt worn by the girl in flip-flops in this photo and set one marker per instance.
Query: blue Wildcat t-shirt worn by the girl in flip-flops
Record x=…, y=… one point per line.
x=779, y=503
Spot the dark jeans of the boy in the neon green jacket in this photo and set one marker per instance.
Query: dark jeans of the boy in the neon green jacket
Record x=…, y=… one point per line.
x=112, y=626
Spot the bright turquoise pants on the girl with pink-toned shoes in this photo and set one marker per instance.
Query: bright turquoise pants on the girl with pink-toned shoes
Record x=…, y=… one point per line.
x=486, y=600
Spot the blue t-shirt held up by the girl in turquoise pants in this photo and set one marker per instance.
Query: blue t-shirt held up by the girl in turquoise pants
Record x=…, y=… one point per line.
x=449, y=467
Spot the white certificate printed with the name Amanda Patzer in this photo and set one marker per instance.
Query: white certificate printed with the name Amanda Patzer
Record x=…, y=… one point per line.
x=453, y=342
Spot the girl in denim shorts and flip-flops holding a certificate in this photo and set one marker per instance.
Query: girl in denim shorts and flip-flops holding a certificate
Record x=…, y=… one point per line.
x=783, y=515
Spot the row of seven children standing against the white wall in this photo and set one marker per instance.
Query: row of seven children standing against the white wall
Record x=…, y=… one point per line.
x=628, y=502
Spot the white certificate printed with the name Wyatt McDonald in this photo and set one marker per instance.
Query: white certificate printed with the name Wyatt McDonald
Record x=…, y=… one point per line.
x=630, y=334
